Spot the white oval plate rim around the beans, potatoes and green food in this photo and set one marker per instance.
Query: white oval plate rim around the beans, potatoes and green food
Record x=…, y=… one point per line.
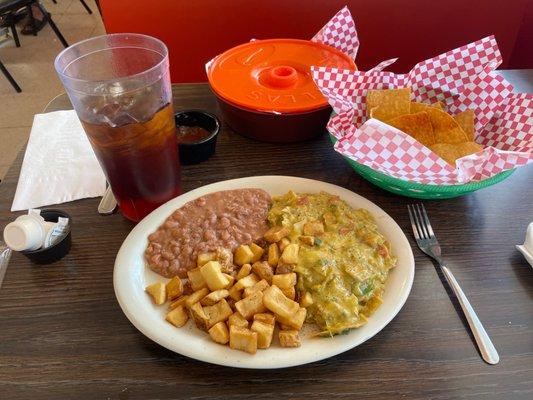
x=131, y=276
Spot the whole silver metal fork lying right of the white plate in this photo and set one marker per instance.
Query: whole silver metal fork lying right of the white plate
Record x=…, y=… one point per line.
x=427, y=242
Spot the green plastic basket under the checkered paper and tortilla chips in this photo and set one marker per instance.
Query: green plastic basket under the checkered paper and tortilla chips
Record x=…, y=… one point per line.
x=419, y=190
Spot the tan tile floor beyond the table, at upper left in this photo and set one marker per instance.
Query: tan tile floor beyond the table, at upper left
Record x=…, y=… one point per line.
x=32, y=65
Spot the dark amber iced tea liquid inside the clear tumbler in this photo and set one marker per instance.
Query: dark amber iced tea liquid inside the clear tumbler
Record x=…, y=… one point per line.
x=140, y=160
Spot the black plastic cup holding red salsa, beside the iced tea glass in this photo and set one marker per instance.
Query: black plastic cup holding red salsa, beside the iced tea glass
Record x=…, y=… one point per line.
x=196, y=152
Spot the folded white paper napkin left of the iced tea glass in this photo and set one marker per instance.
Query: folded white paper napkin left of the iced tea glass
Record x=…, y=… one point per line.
x=59, y=164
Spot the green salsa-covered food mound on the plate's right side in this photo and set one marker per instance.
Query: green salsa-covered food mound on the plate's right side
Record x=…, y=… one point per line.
x=345, y=268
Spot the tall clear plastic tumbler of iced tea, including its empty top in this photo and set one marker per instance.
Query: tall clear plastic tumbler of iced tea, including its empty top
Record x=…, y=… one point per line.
x=119, y=85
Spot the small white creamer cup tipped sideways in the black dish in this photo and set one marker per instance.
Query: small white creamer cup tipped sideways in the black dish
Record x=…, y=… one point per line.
x=25, y=233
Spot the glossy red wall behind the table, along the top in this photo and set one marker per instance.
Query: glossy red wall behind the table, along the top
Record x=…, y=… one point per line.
x=413, y=30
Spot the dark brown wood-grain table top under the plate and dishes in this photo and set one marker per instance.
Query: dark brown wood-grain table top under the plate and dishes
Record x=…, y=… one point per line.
x=63, y=334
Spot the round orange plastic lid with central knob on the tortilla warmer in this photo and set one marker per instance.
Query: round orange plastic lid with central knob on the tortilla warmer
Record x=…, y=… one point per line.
x=274, y=75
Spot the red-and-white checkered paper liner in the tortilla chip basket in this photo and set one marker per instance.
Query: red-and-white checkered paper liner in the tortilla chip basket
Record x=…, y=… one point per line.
x=462, y=78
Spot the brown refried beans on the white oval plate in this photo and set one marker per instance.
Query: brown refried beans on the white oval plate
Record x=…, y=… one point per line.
x=224, y=219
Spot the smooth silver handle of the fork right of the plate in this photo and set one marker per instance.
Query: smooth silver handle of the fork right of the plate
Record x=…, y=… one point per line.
x=487, y=349
